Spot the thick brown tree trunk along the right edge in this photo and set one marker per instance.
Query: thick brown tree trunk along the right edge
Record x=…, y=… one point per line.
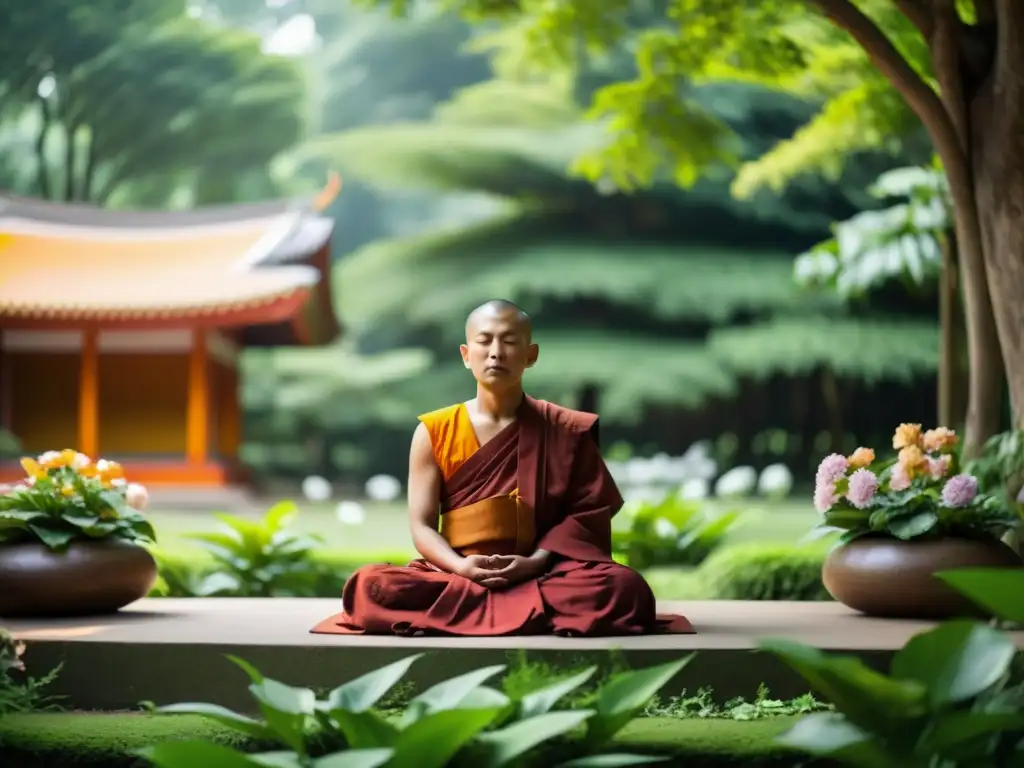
x=998, y=132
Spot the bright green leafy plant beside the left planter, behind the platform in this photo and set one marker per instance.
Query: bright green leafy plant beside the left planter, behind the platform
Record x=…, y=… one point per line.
x=251, y=560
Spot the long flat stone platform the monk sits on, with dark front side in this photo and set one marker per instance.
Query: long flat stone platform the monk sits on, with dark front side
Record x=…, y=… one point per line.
x=168, y=651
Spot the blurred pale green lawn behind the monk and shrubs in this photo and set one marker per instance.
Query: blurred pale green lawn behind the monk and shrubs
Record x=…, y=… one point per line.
x=386, y=529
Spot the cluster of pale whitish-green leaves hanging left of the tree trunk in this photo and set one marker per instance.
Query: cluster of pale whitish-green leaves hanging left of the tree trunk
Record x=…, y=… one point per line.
x=903, y=242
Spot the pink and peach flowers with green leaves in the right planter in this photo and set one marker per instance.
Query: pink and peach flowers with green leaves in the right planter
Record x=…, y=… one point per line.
x=919, y=494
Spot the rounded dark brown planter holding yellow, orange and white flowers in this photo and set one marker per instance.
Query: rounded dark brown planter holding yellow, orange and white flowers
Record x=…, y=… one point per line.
x=89, y=579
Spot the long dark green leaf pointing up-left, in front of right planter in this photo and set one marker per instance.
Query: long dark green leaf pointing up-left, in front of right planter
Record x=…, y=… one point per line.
x=871, y=701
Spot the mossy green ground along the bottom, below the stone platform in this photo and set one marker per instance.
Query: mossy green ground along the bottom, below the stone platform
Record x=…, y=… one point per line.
x=103, y=741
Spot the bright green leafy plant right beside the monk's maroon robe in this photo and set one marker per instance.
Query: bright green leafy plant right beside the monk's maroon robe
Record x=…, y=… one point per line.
x=673, y=532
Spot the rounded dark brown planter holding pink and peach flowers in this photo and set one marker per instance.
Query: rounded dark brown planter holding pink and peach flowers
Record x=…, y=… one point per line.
x=891, y=579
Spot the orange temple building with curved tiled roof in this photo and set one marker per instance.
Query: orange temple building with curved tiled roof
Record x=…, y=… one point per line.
x=120, y=332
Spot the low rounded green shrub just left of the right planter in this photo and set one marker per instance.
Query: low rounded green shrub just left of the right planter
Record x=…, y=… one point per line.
x=756, y=572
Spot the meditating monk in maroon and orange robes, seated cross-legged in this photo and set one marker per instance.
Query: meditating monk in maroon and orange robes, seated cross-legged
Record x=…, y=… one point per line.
x=525, y=504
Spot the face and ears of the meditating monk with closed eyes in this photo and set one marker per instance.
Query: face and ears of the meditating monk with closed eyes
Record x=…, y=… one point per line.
x=498, y=349
